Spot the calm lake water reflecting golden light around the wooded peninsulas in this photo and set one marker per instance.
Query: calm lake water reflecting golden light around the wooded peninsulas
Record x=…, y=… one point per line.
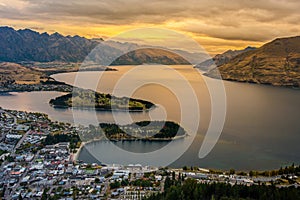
x=261, y=131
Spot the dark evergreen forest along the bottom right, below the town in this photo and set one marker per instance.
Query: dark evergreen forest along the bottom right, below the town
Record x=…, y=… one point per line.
x=189, y=189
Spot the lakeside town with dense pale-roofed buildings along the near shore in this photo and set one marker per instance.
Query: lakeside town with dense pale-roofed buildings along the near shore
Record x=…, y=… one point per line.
x=39, y=161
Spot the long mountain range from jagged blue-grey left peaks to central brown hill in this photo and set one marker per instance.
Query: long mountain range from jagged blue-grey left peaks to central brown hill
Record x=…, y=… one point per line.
x=27, y=45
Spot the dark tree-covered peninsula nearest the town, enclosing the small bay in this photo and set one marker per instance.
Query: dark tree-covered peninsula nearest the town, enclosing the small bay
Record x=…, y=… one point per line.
x=144, y=130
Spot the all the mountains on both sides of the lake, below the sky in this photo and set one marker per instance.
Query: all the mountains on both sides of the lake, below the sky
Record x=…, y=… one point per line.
x=275, y=63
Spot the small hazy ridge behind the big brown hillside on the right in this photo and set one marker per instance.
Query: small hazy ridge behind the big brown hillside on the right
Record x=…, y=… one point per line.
x=221, y=59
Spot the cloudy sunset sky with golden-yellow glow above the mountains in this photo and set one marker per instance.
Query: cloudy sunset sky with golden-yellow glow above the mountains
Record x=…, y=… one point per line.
x=217, y=25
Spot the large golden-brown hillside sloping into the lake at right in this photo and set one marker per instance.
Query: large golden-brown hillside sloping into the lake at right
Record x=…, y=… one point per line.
x=276, y=63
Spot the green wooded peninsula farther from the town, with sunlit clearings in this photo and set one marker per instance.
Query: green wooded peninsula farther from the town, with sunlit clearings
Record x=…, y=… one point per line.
x=88, y=99
